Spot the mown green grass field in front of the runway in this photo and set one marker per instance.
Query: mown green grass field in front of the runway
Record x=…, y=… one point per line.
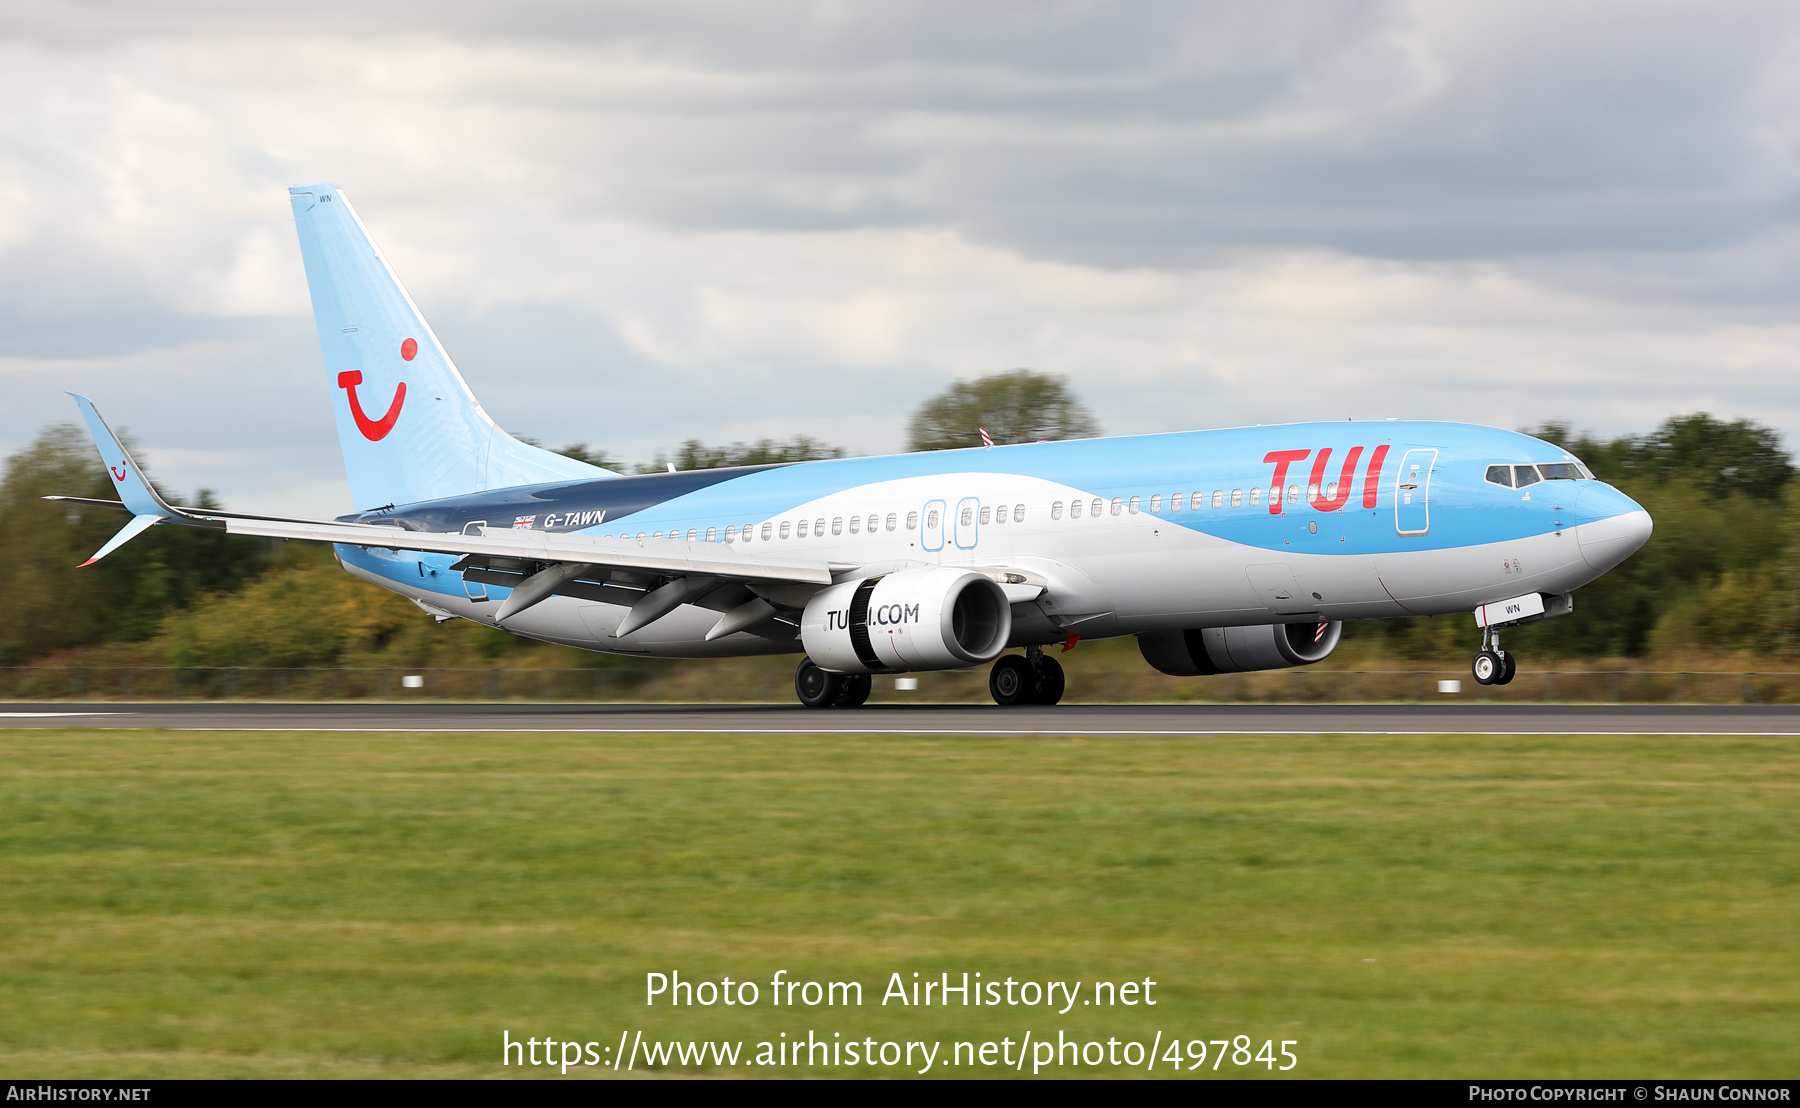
x=386, y=906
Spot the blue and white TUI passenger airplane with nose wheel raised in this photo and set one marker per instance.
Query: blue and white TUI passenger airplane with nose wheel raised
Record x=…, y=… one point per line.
x=1219, y=550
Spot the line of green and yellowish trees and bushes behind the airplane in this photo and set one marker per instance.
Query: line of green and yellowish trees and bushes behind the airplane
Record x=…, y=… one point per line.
x=1722, y=573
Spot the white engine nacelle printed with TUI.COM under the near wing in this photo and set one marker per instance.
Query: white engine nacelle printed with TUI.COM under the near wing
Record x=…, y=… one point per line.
x=939, y=618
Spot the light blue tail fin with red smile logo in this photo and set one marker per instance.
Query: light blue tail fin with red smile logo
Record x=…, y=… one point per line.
x=409, y=425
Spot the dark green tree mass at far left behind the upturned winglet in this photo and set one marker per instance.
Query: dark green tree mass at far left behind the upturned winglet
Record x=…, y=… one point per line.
x=51, y=602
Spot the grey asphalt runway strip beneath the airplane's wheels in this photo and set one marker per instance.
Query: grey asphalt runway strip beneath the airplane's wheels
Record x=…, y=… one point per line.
x=948, y=720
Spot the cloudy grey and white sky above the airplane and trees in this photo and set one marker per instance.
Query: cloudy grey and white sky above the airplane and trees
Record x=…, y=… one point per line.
x=634, y=224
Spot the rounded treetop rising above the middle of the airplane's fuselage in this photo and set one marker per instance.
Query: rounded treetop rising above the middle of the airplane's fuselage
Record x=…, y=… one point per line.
x=1014, y=407
